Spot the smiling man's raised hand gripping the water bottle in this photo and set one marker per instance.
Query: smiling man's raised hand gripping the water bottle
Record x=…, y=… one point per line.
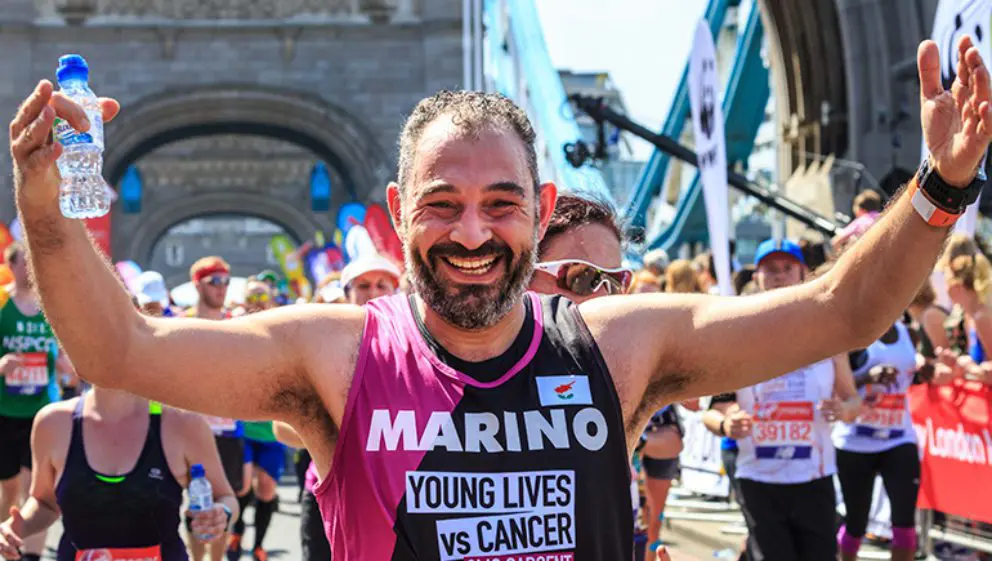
x=36, y=178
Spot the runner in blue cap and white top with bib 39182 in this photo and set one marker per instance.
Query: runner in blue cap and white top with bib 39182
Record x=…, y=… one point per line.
x=786, y=461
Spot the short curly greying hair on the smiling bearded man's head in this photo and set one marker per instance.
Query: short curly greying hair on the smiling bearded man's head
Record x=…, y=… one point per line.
x=472, y=112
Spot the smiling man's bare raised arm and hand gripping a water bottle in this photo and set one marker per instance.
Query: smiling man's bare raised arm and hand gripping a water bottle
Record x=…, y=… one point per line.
x=258, y=367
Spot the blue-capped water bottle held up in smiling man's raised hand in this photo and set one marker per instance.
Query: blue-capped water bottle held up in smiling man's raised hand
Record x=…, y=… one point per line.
x=83, y=193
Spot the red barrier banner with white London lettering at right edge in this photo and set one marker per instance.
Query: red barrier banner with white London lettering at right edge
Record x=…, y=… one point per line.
x=952, y=425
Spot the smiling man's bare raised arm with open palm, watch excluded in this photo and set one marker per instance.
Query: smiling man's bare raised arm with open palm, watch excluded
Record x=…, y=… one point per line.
x=671, y=347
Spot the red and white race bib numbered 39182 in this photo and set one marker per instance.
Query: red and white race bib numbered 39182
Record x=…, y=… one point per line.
x=783, y=430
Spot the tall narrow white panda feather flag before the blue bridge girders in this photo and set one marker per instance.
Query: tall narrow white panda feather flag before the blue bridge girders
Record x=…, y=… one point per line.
x=711, y=150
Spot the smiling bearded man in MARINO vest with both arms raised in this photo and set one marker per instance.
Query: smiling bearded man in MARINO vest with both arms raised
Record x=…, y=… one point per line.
x=437, y=420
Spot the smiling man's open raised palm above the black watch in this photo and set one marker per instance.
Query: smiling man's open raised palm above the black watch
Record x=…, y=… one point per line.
x=957, y=124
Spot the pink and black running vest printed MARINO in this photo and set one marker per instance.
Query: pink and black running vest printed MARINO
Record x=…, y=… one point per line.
x=521, y=457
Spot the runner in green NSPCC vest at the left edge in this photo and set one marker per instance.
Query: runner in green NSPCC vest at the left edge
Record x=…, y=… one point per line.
x=28, y=353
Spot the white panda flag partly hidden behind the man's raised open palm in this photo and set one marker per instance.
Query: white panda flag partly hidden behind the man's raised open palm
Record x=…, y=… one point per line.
x=953, y=20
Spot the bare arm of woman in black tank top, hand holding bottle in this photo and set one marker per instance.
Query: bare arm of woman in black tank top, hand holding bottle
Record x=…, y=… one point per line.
x=201, y=448
